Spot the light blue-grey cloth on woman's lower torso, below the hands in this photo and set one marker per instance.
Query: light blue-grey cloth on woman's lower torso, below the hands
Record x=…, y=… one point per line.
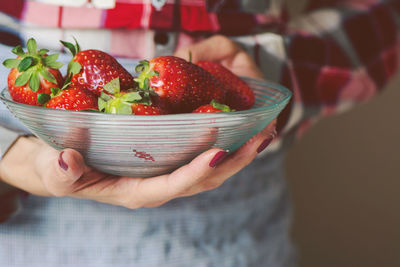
x=245, y=222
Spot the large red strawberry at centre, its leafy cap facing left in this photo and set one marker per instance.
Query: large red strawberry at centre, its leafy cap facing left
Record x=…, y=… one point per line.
x=180, y=85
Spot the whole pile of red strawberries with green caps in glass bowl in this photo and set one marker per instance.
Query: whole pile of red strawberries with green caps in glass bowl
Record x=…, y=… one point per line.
x=95, y=81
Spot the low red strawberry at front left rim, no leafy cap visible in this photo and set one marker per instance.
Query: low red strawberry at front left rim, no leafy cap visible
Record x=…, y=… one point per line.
x=73, y=99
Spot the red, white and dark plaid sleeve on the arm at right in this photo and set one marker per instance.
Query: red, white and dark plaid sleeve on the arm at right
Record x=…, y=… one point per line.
x=336, y=57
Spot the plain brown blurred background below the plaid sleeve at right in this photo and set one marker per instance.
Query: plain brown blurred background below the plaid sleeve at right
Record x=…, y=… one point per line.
x=344, y=176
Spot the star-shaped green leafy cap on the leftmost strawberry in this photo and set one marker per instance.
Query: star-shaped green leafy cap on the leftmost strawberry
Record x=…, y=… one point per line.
x=33, y=65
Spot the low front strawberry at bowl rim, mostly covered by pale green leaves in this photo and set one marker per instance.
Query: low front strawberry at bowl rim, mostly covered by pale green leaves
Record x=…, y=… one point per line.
x=115, y=101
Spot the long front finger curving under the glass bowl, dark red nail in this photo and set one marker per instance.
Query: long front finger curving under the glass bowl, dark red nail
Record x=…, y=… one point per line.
x=140, y=192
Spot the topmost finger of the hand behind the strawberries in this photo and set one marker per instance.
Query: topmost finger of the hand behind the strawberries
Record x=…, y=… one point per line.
x=216, y=48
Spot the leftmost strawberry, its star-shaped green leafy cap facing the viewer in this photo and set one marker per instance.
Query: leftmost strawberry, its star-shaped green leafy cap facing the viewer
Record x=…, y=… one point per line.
x=32, y=73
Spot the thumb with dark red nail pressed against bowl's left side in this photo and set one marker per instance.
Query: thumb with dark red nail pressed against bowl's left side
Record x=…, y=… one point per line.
x=60, y=170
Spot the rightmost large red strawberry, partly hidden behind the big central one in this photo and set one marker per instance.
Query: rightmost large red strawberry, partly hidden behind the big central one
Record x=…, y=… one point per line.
x=239, y=95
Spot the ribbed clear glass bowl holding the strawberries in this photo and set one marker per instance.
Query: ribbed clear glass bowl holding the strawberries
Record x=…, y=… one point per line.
x=145, y=146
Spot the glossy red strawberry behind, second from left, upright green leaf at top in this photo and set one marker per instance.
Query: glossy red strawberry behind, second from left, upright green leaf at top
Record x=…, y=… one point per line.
x=92, y=69
